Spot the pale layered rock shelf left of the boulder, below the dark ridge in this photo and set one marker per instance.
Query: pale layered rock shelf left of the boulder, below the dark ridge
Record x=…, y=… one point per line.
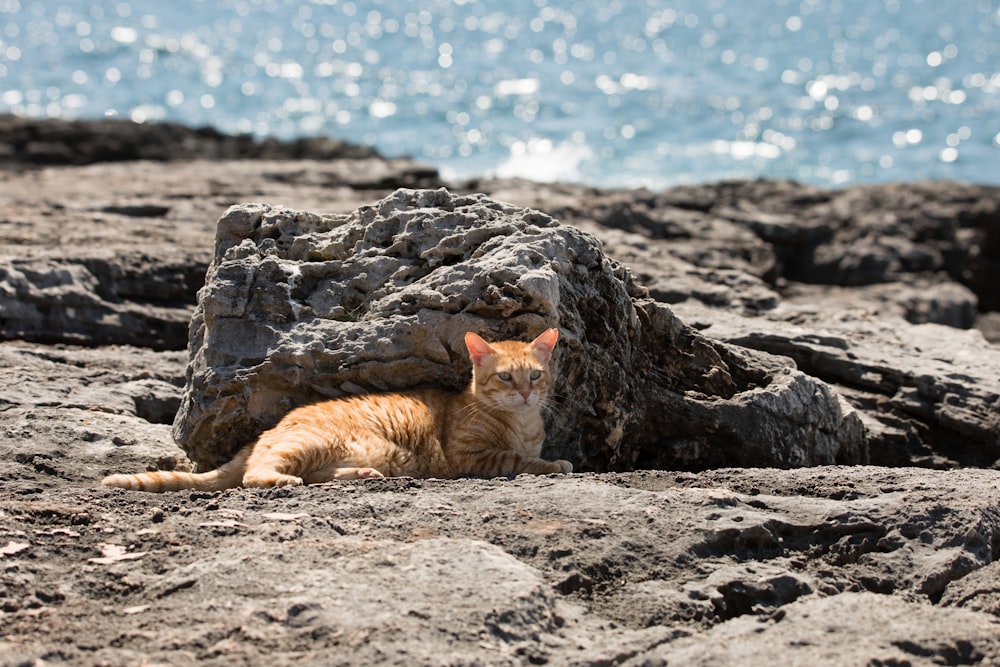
x=114, y=253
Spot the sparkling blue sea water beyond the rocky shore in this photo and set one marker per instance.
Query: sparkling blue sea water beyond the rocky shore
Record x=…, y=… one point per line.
x=612, y=93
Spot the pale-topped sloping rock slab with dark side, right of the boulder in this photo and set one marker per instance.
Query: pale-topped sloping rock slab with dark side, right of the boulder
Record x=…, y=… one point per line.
x=929, y=394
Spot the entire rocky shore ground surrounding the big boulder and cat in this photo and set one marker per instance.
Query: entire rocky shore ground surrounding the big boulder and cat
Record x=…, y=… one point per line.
x=885, y=294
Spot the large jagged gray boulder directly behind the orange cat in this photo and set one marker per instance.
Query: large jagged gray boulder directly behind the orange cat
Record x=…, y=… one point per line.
x=299, y=306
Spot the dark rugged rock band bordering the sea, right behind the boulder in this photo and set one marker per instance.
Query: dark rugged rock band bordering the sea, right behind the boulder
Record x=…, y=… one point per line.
x=929, y=252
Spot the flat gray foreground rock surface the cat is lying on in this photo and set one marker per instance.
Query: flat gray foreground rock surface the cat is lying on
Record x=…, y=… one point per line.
x=826, y=565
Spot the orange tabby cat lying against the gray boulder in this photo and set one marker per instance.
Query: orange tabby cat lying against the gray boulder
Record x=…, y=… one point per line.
x=494, y=427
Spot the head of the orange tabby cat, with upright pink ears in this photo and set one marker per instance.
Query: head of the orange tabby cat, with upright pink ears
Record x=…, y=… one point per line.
x=510, y=375
